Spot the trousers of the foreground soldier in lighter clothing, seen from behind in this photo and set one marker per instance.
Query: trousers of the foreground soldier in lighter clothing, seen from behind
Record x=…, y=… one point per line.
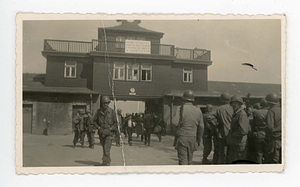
x=186, y=145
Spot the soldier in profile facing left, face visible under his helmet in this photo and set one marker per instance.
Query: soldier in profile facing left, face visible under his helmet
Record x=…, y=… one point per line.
x=240, y=127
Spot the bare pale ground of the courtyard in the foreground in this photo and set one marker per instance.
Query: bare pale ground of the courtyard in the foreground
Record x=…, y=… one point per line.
x=54, y=150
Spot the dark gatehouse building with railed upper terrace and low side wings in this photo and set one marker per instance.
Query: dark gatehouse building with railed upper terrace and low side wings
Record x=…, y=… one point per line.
x=128, y=61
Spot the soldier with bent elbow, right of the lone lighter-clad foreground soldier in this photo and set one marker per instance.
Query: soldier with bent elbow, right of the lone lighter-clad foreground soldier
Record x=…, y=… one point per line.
x=221, y=119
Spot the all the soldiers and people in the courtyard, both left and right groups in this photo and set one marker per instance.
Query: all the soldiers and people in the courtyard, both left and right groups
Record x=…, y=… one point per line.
x=228, y=127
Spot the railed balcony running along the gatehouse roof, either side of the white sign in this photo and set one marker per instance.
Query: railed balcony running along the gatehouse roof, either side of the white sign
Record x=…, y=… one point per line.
x=119, y=47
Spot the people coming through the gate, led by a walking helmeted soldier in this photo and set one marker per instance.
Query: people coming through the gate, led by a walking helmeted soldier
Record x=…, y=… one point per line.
x=110, y=124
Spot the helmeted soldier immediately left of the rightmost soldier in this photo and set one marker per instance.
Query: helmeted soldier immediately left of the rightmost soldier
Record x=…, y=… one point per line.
x=259, y=131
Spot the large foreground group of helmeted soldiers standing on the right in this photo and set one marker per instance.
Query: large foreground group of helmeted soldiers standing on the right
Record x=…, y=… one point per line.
x=237, y=136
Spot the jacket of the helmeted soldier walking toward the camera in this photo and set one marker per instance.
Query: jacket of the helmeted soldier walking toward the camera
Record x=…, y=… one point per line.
x=106, y=119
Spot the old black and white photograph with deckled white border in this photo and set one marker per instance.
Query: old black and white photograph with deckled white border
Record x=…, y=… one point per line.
x=136, y=93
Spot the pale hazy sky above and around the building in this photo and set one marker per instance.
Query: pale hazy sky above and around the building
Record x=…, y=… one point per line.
x=231, y=42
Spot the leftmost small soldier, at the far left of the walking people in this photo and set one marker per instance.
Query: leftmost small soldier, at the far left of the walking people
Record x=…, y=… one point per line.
x=79, y=128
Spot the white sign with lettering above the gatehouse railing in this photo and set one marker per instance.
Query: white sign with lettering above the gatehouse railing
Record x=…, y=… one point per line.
x=137, y=46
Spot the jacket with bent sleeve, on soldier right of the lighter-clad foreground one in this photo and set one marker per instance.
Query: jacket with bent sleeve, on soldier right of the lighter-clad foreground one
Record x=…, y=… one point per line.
x=221, y=118
